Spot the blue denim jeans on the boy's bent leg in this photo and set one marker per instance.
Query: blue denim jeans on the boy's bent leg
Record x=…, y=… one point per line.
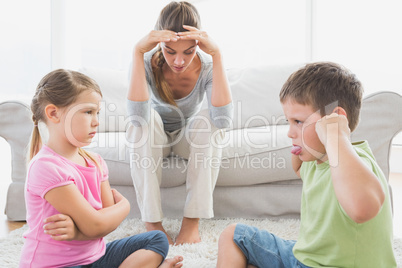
x=263, y=249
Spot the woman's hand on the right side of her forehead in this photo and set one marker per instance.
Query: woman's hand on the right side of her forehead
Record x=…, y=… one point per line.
x=205, y=42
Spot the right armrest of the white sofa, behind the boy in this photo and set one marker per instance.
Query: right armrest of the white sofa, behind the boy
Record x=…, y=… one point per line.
x=380, y=121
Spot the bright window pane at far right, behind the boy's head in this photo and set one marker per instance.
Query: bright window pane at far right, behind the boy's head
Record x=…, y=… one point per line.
x=365, y=37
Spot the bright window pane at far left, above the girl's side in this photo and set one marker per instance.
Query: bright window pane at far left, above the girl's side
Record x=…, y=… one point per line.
x=25, y=47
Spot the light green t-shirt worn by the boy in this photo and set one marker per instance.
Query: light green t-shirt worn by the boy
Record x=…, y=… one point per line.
x=328, y=237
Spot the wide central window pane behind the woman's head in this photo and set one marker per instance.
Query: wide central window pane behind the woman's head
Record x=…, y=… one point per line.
x=107, y=31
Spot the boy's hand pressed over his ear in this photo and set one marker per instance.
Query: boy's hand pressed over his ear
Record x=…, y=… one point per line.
x=332, y=127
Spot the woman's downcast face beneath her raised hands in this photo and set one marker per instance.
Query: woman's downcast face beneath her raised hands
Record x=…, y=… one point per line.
x=179, y=55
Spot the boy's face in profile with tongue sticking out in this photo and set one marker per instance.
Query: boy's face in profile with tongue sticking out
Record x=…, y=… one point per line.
x=302, y=120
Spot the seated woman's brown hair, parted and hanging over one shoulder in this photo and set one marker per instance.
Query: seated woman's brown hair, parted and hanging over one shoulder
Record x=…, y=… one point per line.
x=172, y=17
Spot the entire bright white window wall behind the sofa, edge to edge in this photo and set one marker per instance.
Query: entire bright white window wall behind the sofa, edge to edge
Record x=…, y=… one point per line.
x=43, y=35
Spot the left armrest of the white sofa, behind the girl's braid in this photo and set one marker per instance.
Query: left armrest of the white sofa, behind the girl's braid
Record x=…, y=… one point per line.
x=16, y=127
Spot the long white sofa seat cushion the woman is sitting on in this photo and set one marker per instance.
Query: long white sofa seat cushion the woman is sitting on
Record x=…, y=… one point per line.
x=263, y=152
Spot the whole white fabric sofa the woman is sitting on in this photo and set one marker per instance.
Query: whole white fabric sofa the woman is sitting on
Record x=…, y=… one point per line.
x=256, y=179
